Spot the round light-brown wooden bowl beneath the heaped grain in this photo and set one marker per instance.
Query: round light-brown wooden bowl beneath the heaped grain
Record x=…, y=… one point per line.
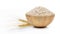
x=40, y=21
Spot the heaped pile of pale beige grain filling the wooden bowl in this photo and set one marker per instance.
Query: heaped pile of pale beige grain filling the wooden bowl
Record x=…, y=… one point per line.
x=39, y=11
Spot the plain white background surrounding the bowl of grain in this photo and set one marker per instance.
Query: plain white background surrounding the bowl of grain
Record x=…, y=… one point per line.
x=12, y=10
